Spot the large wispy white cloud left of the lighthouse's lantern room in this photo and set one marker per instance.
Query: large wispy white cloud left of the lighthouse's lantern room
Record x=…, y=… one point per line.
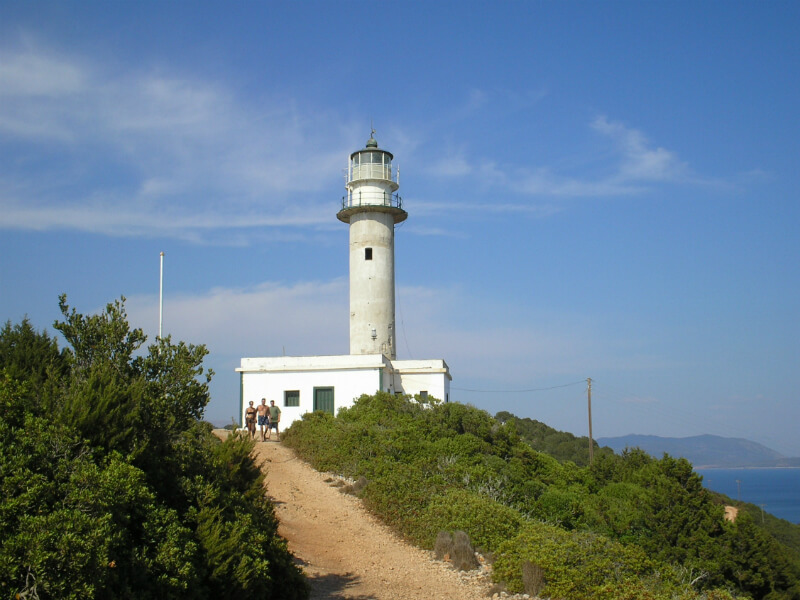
x=143, y=152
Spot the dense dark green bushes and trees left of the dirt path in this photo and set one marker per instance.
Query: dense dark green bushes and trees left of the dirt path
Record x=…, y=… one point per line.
x=112, y=487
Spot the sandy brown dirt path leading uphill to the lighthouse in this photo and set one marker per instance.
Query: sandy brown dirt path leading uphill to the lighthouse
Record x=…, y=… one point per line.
x=346, y=553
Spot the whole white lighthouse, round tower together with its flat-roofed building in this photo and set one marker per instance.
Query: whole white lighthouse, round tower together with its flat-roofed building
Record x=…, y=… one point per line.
x=301, y=384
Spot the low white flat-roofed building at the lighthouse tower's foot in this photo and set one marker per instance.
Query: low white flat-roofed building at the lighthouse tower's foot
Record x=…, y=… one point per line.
x=302, y=384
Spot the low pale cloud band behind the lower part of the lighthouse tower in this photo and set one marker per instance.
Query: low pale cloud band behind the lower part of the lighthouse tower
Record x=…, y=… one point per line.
x=481, y=342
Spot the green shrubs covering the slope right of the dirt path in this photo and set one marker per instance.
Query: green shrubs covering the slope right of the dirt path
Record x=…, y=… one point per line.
x=628, y=526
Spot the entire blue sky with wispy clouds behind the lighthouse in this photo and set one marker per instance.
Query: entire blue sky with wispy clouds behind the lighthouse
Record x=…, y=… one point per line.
x=604, y=190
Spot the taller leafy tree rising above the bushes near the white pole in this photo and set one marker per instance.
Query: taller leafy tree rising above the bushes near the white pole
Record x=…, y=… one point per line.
x=130, y=403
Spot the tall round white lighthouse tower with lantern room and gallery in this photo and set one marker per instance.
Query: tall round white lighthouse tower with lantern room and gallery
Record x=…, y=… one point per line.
x=372, y=207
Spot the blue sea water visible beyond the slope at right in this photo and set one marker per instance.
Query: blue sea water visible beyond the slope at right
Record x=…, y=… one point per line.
x=777, y=491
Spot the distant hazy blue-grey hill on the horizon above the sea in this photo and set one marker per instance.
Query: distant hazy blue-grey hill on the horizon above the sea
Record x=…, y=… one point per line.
x=705, y=450
